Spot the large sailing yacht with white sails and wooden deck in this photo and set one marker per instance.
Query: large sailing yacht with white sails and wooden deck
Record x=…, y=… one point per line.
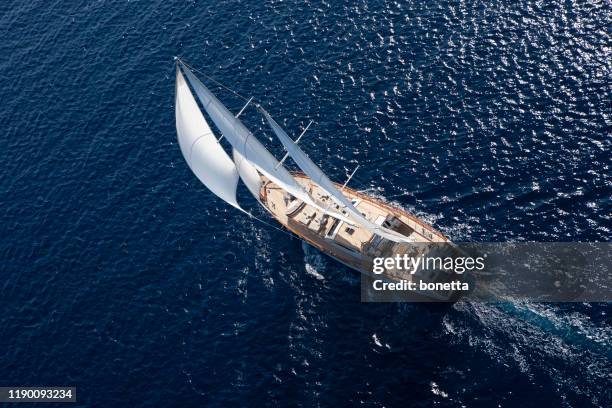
x=349, y=226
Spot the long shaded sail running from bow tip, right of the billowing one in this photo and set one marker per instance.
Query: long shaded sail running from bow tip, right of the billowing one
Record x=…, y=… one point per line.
x=247, y=146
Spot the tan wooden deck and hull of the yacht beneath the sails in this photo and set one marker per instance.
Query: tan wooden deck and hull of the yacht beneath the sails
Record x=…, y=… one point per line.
x=352, y=245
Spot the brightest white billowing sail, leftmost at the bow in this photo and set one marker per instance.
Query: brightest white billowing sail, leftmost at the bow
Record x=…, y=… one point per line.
x=200, y=148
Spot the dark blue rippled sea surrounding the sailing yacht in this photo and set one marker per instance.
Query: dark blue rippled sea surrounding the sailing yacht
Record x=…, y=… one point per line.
x=123, y=276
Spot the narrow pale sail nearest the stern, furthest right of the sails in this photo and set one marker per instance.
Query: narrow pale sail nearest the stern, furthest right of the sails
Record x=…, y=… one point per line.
x=317, y=176
